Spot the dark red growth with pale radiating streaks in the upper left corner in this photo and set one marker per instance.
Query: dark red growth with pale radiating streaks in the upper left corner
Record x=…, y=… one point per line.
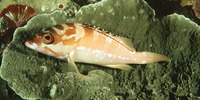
x=15, y=15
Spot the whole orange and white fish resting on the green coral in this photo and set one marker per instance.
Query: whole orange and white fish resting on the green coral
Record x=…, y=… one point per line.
x=82, y=43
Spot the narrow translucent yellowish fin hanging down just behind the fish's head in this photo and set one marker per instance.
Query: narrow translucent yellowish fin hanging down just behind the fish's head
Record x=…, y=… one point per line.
x=73, y=67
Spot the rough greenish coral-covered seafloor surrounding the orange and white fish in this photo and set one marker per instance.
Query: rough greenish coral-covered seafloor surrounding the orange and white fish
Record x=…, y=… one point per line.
x=27, y=74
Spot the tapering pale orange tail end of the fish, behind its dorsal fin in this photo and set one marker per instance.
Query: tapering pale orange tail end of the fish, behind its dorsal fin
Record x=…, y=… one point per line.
x=148, y=57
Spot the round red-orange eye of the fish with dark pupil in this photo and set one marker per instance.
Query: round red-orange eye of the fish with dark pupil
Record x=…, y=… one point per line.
x=47, y=38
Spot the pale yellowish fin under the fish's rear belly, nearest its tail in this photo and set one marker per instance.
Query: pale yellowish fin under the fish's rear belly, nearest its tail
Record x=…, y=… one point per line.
x=120, y=66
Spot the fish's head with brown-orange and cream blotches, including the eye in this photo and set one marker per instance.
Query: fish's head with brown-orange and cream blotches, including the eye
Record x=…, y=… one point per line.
x=57, y=41
